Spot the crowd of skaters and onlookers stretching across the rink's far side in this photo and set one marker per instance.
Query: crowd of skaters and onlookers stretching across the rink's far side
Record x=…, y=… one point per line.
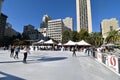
x=15, y=50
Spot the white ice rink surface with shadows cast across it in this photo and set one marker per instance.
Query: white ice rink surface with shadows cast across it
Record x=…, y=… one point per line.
x=53, y=65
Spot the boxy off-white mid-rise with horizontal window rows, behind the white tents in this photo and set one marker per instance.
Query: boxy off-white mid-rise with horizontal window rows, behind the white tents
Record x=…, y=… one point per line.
x=55, y=29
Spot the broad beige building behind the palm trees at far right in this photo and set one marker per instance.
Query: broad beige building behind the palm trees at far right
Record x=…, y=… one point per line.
x=108, y=25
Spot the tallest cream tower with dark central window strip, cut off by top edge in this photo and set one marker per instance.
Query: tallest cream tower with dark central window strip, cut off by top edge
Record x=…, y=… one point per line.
x=84, y=20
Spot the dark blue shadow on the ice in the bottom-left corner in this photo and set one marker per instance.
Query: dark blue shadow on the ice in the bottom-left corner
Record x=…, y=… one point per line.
x=9, y=77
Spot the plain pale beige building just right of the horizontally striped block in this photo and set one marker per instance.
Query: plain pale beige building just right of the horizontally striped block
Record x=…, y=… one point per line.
x=68, y=23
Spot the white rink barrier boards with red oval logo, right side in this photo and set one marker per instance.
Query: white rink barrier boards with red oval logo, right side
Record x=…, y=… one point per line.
x=111, y=61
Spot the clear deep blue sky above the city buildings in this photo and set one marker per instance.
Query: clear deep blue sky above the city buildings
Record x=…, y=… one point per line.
x=24, y=12
